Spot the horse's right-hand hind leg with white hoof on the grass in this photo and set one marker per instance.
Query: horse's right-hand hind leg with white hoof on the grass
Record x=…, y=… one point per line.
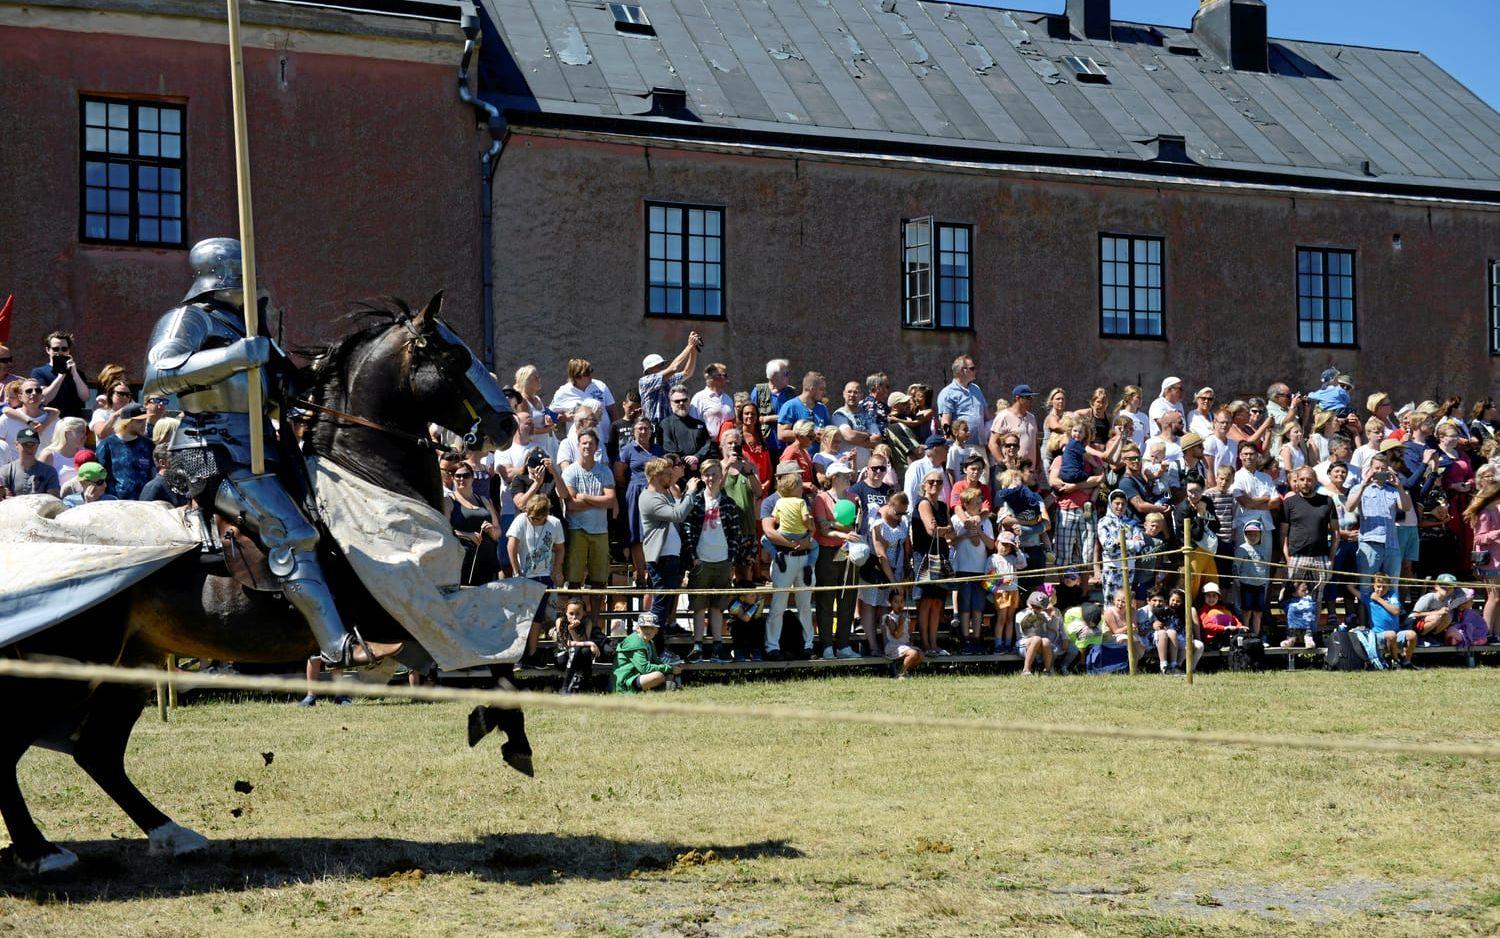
x=100, y=751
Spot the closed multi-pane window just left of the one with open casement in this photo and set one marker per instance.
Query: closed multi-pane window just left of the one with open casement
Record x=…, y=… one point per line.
x=685, y=262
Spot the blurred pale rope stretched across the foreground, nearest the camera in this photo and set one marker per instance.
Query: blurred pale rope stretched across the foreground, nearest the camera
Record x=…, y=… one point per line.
x=661, y=706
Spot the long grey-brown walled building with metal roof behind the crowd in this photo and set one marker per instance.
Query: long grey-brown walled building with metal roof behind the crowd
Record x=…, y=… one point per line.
x=1075, y=200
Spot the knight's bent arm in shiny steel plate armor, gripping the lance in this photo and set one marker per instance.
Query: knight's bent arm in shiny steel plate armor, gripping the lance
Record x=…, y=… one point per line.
x=181, y=362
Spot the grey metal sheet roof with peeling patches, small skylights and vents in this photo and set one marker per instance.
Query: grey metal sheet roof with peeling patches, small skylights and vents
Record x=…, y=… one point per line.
x=992, y=83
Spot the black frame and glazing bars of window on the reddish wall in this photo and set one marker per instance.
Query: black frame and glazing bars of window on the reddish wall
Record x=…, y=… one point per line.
x=136, y=163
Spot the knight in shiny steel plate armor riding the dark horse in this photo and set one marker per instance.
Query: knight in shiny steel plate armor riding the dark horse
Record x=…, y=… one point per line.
x=200, y=353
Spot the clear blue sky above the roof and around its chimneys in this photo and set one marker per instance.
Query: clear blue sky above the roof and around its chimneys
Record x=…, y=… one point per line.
x=1463, y=37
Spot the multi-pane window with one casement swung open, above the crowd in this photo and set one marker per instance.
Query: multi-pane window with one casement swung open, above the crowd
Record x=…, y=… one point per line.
x=937, y=298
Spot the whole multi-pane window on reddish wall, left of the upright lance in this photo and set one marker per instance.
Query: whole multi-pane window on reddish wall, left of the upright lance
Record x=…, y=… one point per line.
x=133, y=173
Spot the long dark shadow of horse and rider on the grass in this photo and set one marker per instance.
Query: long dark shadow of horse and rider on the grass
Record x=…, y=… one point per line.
x=122, y=870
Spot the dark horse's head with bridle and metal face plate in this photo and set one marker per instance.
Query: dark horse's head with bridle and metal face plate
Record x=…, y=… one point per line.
x=451, y=383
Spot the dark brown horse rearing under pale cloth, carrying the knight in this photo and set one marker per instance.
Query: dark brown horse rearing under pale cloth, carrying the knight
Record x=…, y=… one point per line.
x=400, y=373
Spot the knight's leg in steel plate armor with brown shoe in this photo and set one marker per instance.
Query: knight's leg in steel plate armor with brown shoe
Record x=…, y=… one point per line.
x=290, y=540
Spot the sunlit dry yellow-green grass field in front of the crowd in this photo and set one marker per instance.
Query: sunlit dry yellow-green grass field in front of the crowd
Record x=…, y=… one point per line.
x=377, y=819
